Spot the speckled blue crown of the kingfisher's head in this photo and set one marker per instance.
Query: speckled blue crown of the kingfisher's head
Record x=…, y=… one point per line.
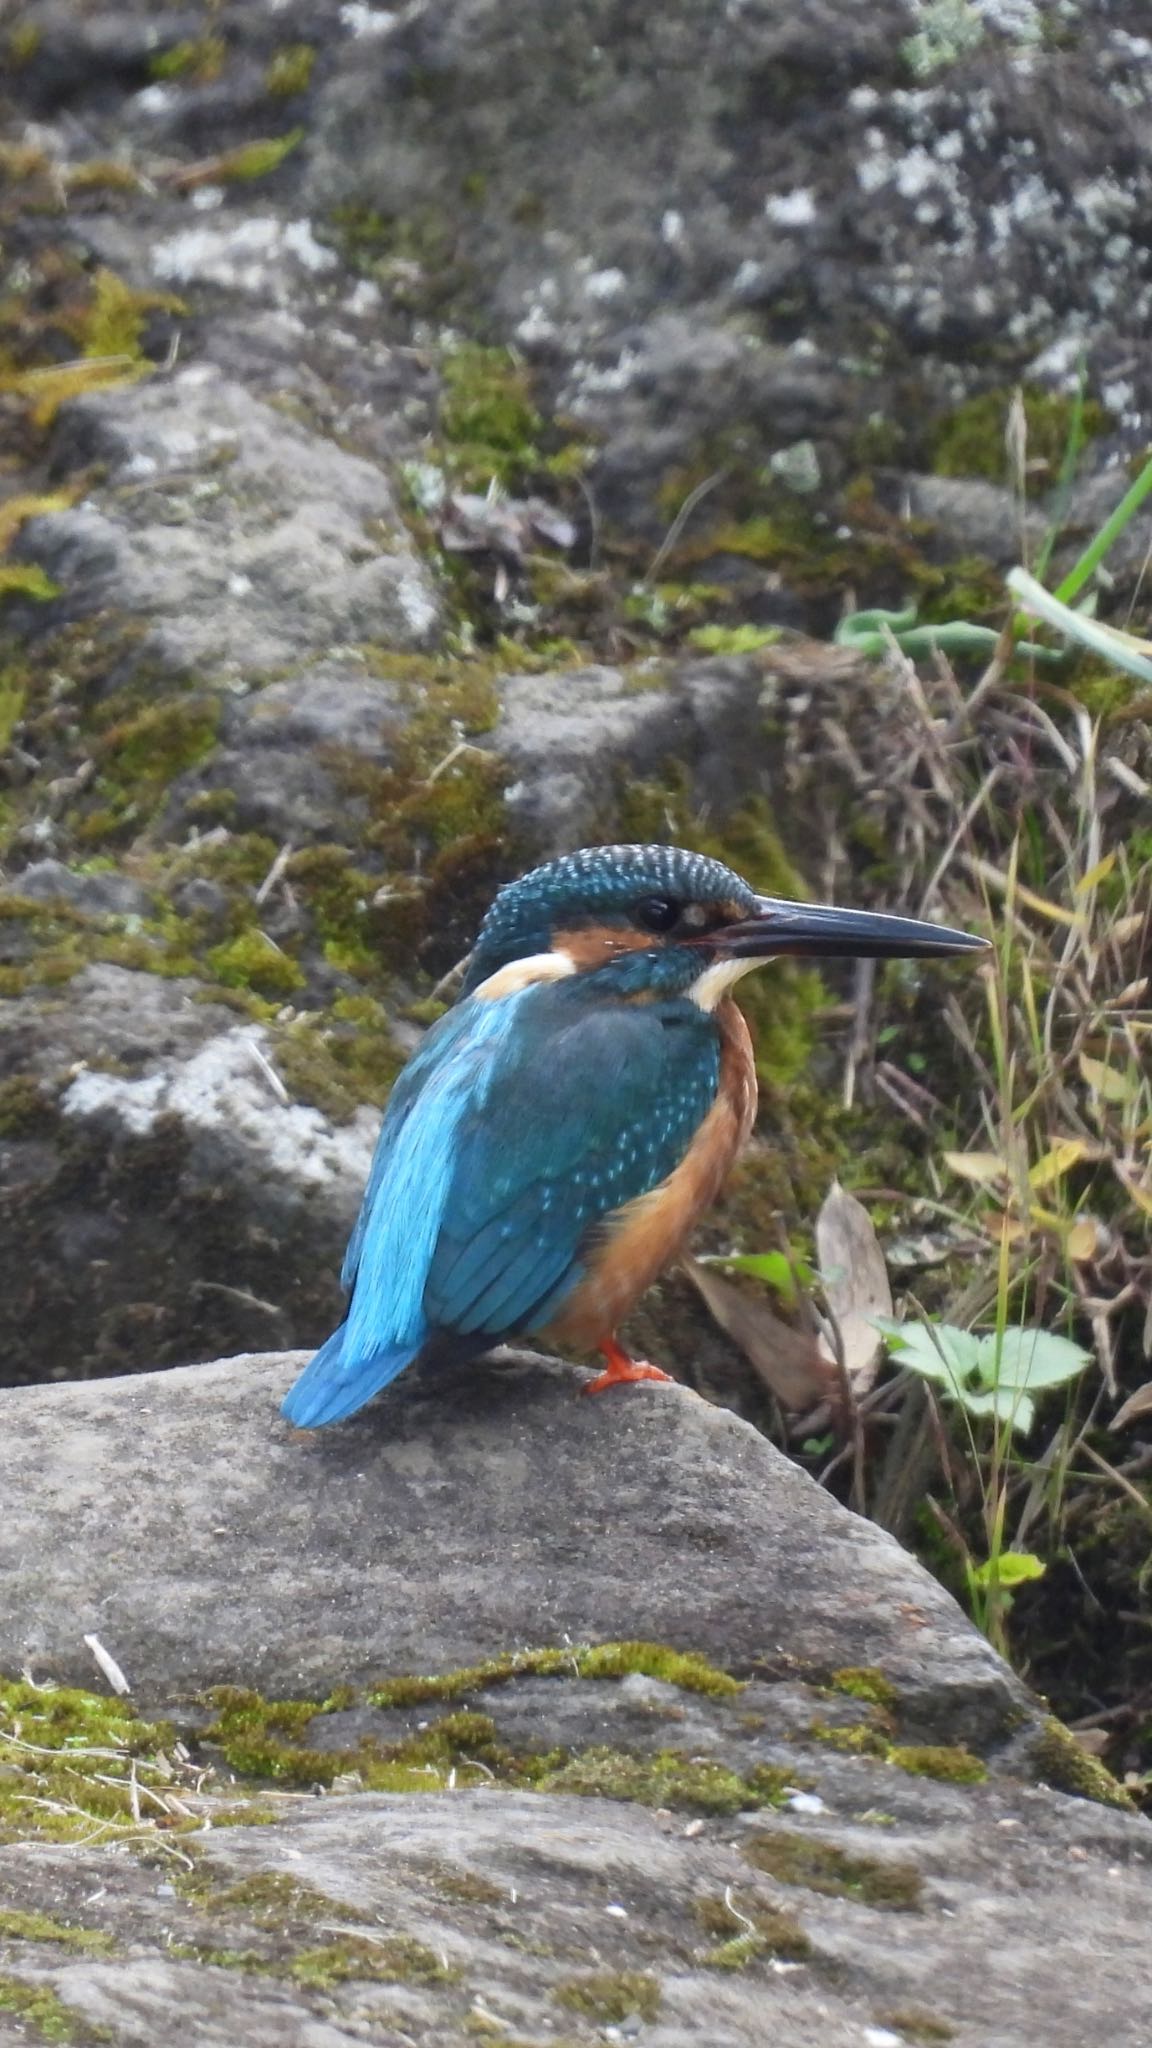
x=598, y=882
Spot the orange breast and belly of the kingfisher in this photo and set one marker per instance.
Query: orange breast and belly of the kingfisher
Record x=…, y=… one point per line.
x=636, y=1242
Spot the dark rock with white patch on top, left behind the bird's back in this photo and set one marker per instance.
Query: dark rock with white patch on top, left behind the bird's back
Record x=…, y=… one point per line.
x=167, y=1197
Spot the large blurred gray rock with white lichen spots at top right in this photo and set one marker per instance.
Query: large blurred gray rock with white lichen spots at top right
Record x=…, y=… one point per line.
x=741, y=202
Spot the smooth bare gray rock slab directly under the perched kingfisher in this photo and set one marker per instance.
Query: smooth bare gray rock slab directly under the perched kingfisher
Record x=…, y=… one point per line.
x=452, y=1523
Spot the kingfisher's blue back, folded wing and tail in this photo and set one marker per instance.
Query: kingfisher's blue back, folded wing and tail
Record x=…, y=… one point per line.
x=520, y=1123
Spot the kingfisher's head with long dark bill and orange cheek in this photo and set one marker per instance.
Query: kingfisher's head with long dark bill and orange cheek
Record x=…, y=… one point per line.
x=677, y=921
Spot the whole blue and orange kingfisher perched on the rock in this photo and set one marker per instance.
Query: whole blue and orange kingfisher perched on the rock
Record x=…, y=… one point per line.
x=552, y=1142
